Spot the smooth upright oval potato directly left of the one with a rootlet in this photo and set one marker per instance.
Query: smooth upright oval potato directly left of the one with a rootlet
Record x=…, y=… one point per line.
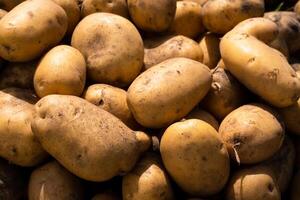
x=195, y=157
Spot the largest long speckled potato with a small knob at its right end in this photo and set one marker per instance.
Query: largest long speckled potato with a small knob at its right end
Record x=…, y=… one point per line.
x=93, y=144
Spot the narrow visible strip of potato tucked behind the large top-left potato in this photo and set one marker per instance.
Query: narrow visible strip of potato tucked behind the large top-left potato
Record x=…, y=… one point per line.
x=72, y=10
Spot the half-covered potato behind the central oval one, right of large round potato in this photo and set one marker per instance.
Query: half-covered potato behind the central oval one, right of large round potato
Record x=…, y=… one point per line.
x=161, y=49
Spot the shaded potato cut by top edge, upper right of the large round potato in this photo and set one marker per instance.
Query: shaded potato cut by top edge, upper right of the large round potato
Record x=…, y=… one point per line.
x=152, y=16
